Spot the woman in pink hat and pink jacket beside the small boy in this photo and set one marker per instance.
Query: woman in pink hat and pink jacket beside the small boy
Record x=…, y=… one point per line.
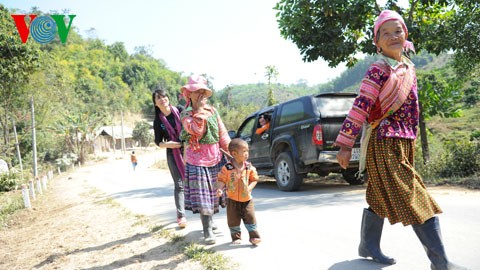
x=205, y=136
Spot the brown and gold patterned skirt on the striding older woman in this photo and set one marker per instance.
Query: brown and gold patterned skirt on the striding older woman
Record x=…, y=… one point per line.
x=395, y=190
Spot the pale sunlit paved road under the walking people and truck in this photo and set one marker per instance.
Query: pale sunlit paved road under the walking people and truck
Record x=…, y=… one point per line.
x=316, y=228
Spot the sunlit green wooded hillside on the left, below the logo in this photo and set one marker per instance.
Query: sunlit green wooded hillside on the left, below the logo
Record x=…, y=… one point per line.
x=76, y=87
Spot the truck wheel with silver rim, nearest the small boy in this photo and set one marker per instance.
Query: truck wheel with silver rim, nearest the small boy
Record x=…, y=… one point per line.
x=285, y=174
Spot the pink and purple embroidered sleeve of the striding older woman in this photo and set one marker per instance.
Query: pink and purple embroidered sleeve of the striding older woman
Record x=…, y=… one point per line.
x=362, y=105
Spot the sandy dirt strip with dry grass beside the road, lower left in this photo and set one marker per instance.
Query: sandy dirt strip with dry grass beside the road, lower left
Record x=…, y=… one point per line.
x=74, y=226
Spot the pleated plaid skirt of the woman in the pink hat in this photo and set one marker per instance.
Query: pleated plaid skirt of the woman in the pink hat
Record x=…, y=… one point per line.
x=199, y=188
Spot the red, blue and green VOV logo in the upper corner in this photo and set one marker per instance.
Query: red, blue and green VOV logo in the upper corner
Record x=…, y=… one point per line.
x=43, y=28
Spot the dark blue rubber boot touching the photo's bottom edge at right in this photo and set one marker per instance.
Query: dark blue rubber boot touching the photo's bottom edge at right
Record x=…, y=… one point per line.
x=431, y=237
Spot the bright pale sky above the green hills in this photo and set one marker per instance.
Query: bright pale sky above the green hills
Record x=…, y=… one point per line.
x=230, y=41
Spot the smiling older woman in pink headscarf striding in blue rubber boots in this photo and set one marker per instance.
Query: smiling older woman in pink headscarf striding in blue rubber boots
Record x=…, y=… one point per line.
x=388, y=102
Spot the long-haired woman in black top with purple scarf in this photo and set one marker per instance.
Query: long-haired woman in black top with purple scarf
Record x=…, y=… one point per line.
x=167, y=127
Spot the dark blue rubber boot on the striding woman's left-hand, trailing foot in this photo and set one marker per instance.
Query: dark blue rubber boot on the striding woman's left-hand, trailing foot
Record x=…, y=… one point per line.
x=370, y=235
